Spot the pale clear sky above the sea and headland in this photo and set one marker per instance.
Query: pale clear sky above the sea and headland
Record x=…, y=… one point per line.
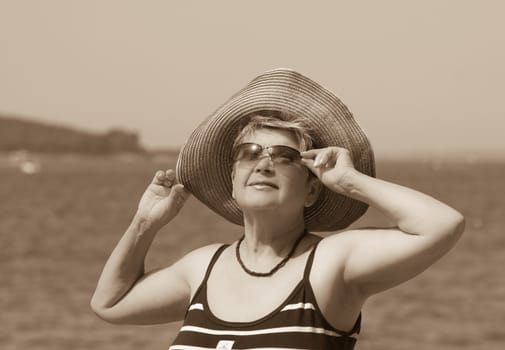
x=423, y=78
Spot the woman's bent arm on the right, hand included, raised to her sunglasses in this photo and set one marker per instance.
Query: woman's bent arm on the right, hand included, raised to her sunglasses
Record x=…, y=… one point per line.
x=377, y=259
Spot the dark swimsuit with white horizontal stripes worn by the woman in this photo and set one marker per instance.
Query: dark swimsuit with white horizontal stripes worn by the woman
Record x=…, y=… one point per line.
x=296, y=324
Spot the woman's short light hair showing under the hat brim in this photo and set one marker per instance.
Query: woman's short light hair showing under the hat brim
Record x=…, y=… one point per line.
x=278, y=121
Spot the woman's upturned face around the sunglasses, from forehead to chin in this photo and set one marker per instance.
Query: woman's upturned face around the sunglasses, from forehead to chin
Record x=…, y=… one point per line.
x=265, y=184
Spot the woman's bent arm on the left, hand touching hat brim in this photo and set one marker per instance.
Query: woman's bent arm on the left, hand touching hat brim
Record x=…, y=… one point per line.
x=124, y=291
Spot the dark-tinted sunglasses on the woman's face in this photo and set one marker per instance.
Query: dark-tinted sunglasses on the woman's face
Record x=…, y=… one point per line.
x=250, y=153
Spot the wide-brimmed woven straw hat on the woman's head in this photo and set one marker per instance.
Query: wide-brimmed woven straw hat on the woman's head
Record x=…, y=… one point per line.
x=204, y=164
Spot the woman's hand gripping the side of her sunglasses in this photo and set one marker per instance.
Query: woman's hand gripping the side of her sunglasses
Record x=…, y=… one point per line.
x=332, y=165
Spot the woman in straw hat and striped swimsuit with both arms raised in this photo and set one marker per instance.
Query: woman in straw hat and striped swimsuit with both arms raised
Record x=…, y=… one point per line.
x=282, y=157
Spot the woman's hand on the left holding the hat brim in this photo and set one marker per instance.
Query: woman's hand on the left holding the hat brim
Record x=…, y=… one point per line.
x=161, y=201
